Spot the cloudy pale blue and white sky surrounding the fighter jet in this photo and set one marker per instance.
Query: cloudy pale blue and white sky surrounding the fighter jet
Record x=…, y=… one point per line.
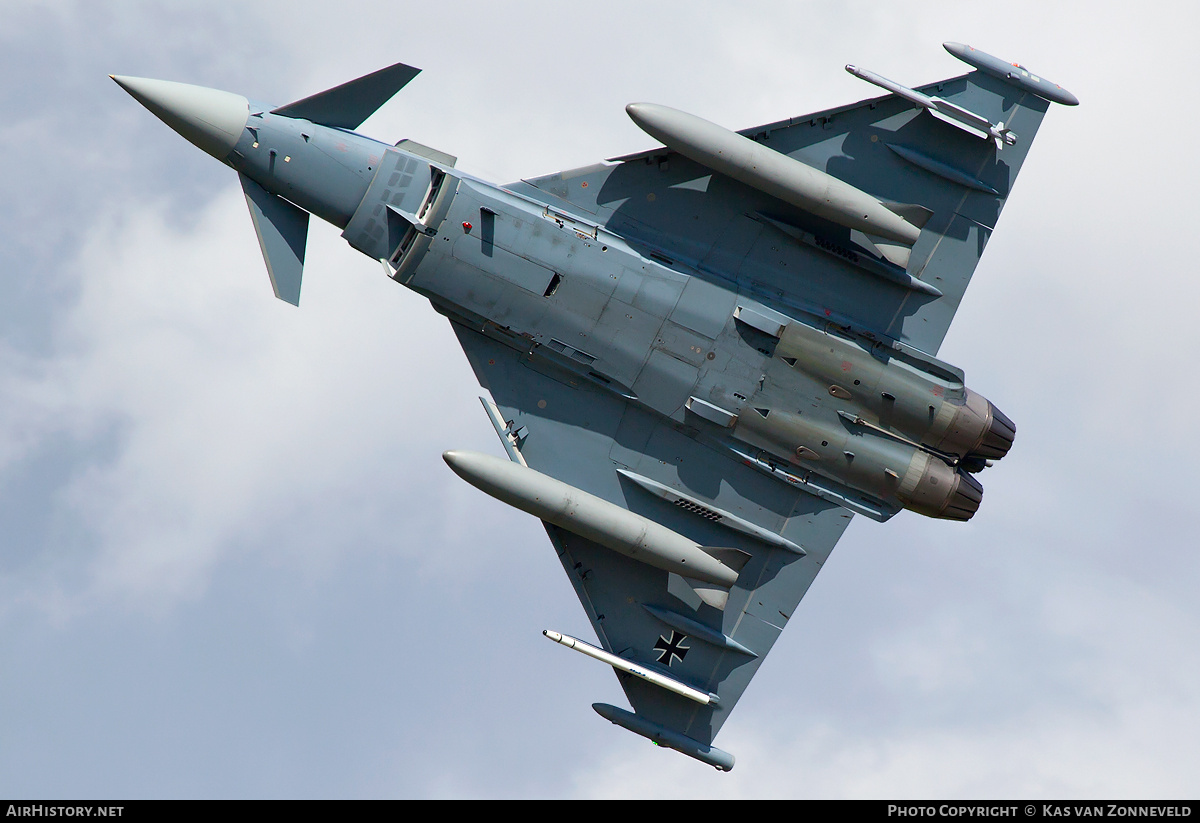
x=233, y=564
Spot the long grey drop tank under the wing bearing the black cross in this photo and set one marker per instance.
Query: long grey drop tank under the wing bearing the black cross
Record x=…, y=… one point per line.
x=597, y=520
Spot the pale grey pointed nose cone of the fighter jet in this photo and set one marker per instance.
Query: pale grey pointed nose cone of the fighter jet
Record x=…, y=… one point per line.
x=211, y=119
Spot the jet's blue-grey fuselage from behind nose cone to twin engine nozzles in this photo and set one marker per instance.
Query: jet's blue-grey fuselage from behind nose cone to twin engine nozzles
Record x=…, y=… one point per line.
x=871, y=425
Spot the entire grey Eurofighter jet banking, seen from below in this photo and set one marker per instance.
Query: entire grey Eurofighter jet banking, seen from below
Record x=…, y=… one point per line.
x=703, y=361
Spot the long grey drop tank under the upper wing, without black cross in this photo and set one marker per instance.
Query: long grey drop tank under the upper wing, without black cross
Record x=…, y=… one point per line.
x=772, y=172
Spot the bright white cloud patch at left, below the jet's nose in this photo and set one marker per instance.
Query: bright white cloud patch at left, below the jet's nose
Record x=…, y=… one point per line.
x=230, y=412
